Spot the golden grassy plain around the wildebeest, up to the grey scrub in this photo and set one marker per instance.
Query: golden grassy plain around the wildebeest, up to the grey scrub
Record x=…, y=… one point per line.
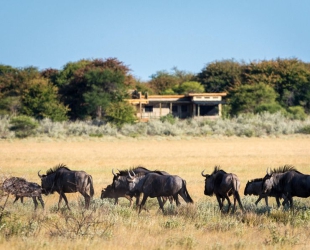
x=194, y=226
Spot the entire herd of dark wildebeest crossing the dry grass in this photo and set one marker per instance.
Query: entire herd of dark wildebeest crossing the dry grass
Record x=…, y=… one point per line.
x=282, y=183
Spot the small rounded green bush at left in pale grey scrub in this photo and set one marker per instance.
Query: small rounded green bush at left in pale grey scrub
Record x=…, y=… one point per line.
x=23, y=126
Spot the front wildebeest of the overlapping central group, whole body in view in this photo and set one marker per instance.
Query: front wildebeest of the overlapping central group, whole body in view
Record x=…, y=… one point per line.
x=155, y=185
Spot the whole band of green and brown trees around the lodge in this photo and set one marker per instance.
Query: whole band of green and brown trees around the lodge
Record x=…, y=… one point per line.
x=97, y=89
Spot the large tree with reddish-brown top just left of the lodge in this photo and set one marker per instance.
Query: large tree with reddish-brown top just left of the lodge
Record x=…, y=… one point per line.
x=87, y=87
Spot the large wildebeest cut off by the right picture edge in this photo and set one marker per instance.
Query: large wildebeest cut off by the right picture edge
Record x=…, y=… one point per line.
x=288, y=181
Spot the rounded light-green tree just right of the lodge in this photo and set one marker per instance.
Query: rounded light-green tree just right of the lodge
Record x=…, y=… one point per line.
x=248, y=98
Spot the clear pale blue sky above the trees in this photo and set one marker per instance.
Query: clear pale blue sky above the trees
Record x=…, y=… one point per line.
x=149, y=36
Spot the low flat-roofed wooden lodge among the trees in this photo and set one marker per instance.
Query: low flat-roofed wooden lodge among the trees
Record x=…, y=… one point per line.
x=182, y=106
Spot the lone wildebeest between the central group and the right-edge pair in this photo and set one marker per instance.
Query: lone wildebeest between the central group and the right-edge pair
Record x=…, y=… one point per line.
x=223, y=185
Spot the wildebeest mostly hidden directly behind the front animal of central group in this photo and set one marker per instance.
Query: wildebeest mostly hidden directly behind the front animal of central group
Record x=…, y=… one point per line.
x=119, y=182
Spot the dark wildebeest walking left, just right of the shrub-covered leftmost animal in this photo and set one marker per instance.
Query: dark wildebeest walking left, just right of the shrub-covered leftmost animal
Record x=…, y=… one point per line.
x=63, y=180
